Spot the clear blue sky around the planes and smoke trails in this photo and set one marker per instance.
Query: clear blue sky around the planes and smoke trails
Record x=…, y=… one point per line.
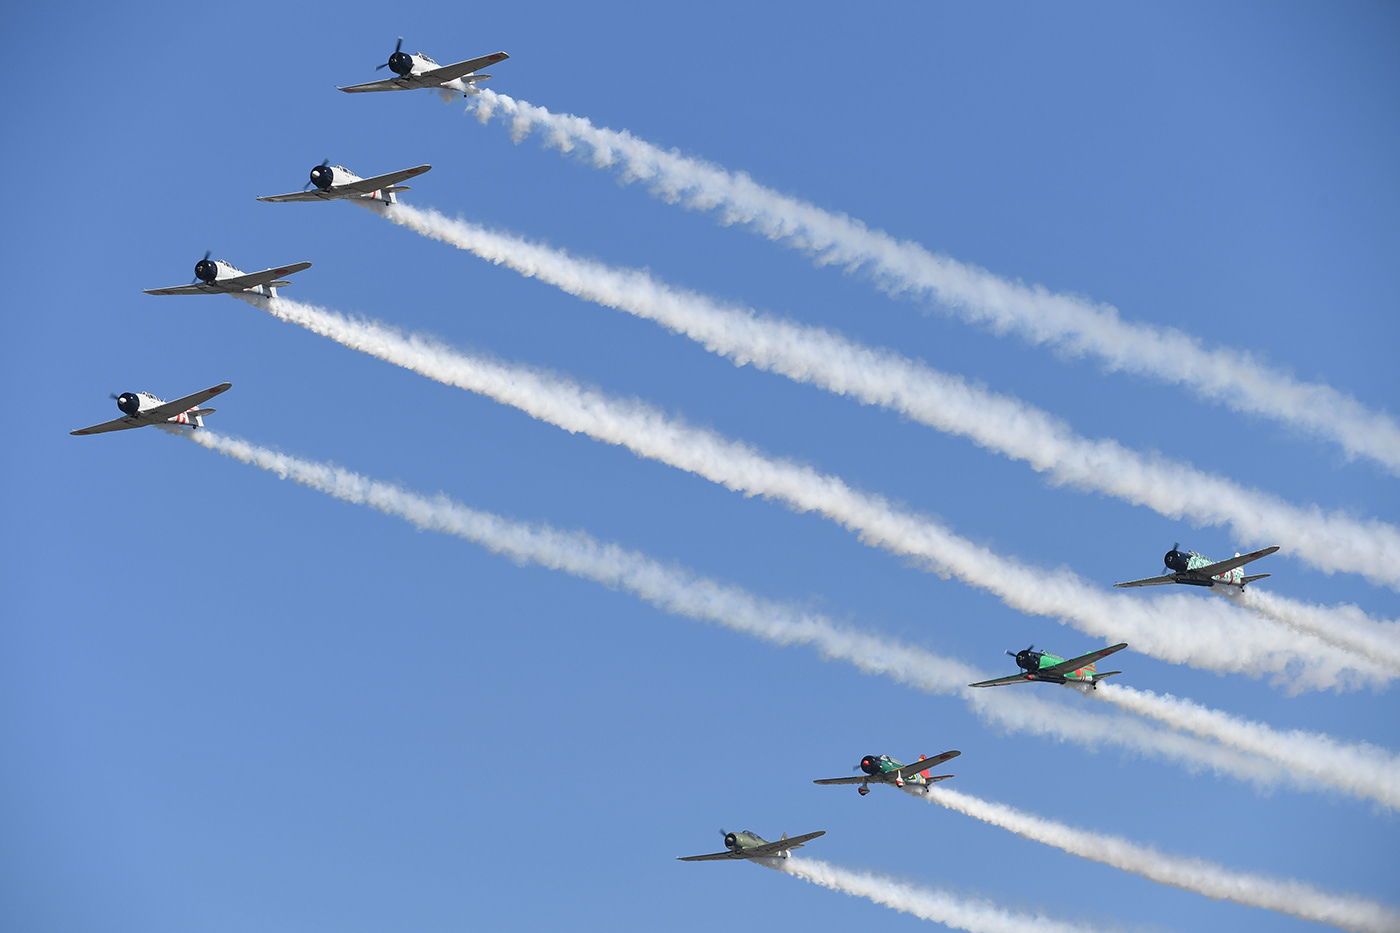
x=229, y=703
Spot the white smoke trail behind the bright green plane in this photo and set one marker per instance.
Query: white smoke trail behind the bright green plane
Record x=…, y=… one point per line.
x=1361, y=770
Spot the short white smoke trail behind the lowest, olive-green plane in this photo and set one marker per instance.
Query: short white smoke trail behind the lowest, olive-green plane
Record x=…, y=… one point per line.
x=927, y=904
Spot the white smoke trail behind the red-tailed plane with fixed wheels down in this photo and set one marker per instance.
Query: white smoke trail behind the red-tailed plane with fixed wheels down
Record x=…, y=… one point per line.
x=1216, y=882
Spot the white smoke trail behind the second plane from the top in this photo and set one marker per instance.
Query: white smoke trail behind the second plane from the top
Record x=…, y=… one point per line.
x=941, y=401
